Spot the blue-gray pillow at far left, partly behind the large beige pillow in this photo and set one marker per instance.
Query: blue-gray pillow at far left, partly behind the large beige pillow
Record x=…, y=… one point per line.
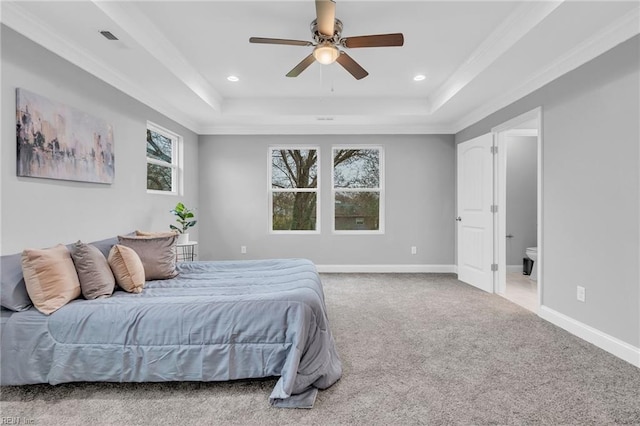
x=13, y=290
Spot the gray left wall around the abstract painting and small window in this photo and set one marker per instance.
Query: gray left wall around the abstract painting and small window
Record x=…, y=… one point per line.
x=44, y=212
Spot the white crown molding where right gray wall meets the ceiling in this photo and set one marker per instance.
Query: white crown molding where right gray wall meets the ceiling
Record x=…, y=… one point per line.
x=606, y=39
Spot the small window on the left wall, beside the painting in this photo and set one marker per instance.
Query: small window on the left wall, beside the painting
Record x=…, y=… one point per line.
x=162, y=160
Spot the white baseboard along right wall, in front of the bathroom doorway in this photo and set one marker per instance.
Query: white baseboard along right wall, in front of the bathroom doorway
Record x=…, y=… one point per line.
x=614, y=346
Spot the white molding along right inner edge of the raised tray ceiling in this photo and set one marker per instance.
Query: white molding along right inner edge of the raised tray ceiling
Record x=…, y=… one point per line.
x=503, y=38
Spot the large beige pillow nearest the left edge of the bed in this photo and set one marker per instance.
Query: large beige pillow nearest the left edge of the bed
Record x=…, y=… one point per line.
x=50, y=277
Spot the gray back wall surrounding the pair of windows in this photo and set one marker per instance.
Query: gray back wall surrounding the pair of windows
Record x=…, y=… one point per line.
x=419, y=202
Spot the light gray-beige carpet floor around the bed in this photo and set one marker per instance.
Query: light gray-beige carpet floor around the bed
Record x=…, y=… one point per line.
x=416, y=349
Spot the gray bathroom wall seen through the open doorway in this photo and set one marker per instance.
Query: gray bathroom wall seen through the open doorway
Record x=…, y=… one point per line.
x=522, y=197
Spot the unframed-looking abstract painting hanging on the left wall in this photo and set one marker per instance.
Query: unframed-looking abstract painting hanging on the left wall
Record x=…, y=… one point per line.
x=56, y=141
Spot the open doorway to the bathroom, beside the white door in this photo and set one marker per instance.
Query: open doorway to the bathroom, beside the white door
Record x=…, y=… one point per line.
x=518, y=188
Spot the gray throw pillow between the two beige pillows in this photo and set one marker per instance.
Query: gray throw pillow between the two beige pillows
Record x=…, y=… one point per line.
x=94, y=273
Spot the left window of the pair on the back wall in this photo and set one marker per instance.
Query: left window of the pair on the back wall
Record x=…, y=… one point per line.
x=294, y=190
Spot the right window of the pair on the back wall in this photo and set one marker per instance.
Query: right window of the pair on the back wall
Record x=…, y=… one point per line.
x=358, y=190
